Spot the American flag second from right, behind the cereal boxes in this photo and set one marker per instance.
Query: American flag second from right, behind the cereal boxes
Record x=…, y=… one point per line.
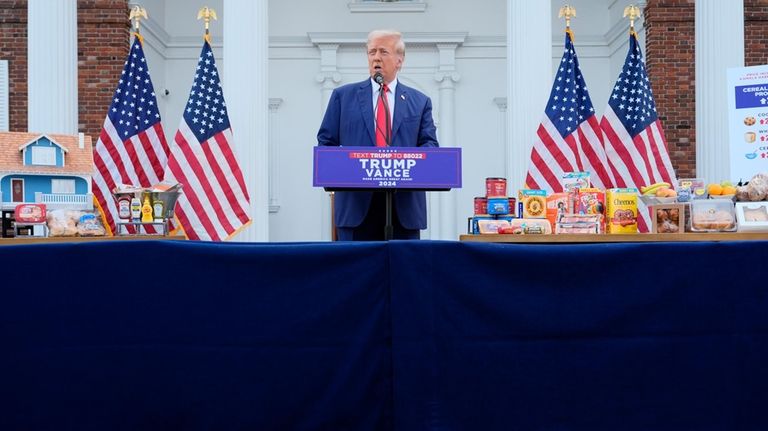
x=569, y=137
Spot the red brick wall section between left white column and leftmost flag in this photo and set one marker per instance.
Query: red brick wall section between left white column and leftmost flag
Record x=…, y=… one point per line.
x=102, y=45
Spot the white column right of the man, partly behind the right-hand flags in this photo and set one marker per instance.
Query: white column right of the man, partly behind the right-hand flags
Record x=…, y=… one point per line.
x=529, y=79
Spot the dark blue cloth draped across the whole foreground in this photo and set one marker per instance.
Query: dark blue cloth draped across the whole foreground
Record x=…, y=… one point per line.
x=405, y=335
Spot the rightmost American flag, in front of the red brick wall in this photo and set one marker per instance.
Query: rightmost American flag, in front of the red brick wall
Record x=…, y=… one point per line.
x=634, y=139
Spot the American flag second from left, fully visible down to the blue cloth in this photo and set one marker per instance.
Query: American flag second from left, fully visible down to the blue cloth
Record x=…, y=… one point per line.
x=214, y=203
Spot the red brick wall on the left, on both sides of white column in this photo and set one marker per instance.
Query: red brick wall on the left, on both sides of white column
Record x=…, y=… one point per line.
x=103, y=32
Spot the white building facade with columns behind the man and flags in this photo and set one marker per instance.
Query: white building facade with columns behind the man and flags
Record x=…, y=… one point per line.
x=487, y=66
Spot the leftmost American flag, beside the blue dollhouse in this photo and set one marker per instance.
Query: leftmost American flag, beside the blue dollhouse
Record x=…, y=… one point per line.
x=131, y=148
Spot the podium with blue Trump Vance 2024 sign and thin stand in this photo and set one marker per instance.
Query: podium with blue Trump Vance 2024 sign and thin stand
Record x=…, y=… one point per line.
x=386, y=169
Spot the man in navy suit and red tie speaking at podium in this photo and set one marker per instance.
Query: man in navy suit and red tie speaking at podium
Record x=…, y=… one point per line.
x=350, y=120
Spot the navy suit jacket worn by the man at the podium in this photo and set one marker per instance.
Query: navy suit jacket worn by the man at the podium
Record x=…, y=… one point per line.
x=349, y=121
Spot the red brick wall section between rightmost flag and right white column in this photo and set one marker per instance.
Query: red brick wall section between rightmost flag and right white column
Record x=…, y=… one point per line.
x=670, y=60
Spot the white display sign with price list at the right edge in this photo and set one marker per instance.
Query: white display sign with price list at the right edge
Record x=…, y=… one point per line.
x=748, y=121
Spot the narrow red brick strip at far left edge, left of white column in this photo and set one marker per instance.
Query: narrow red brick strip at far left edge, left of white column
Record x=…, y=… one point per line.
x=13, y=47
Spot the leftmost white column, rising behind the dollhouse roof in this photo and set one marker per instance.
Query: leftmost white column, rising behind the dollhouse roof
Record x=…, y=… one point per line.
x=52, y=66
